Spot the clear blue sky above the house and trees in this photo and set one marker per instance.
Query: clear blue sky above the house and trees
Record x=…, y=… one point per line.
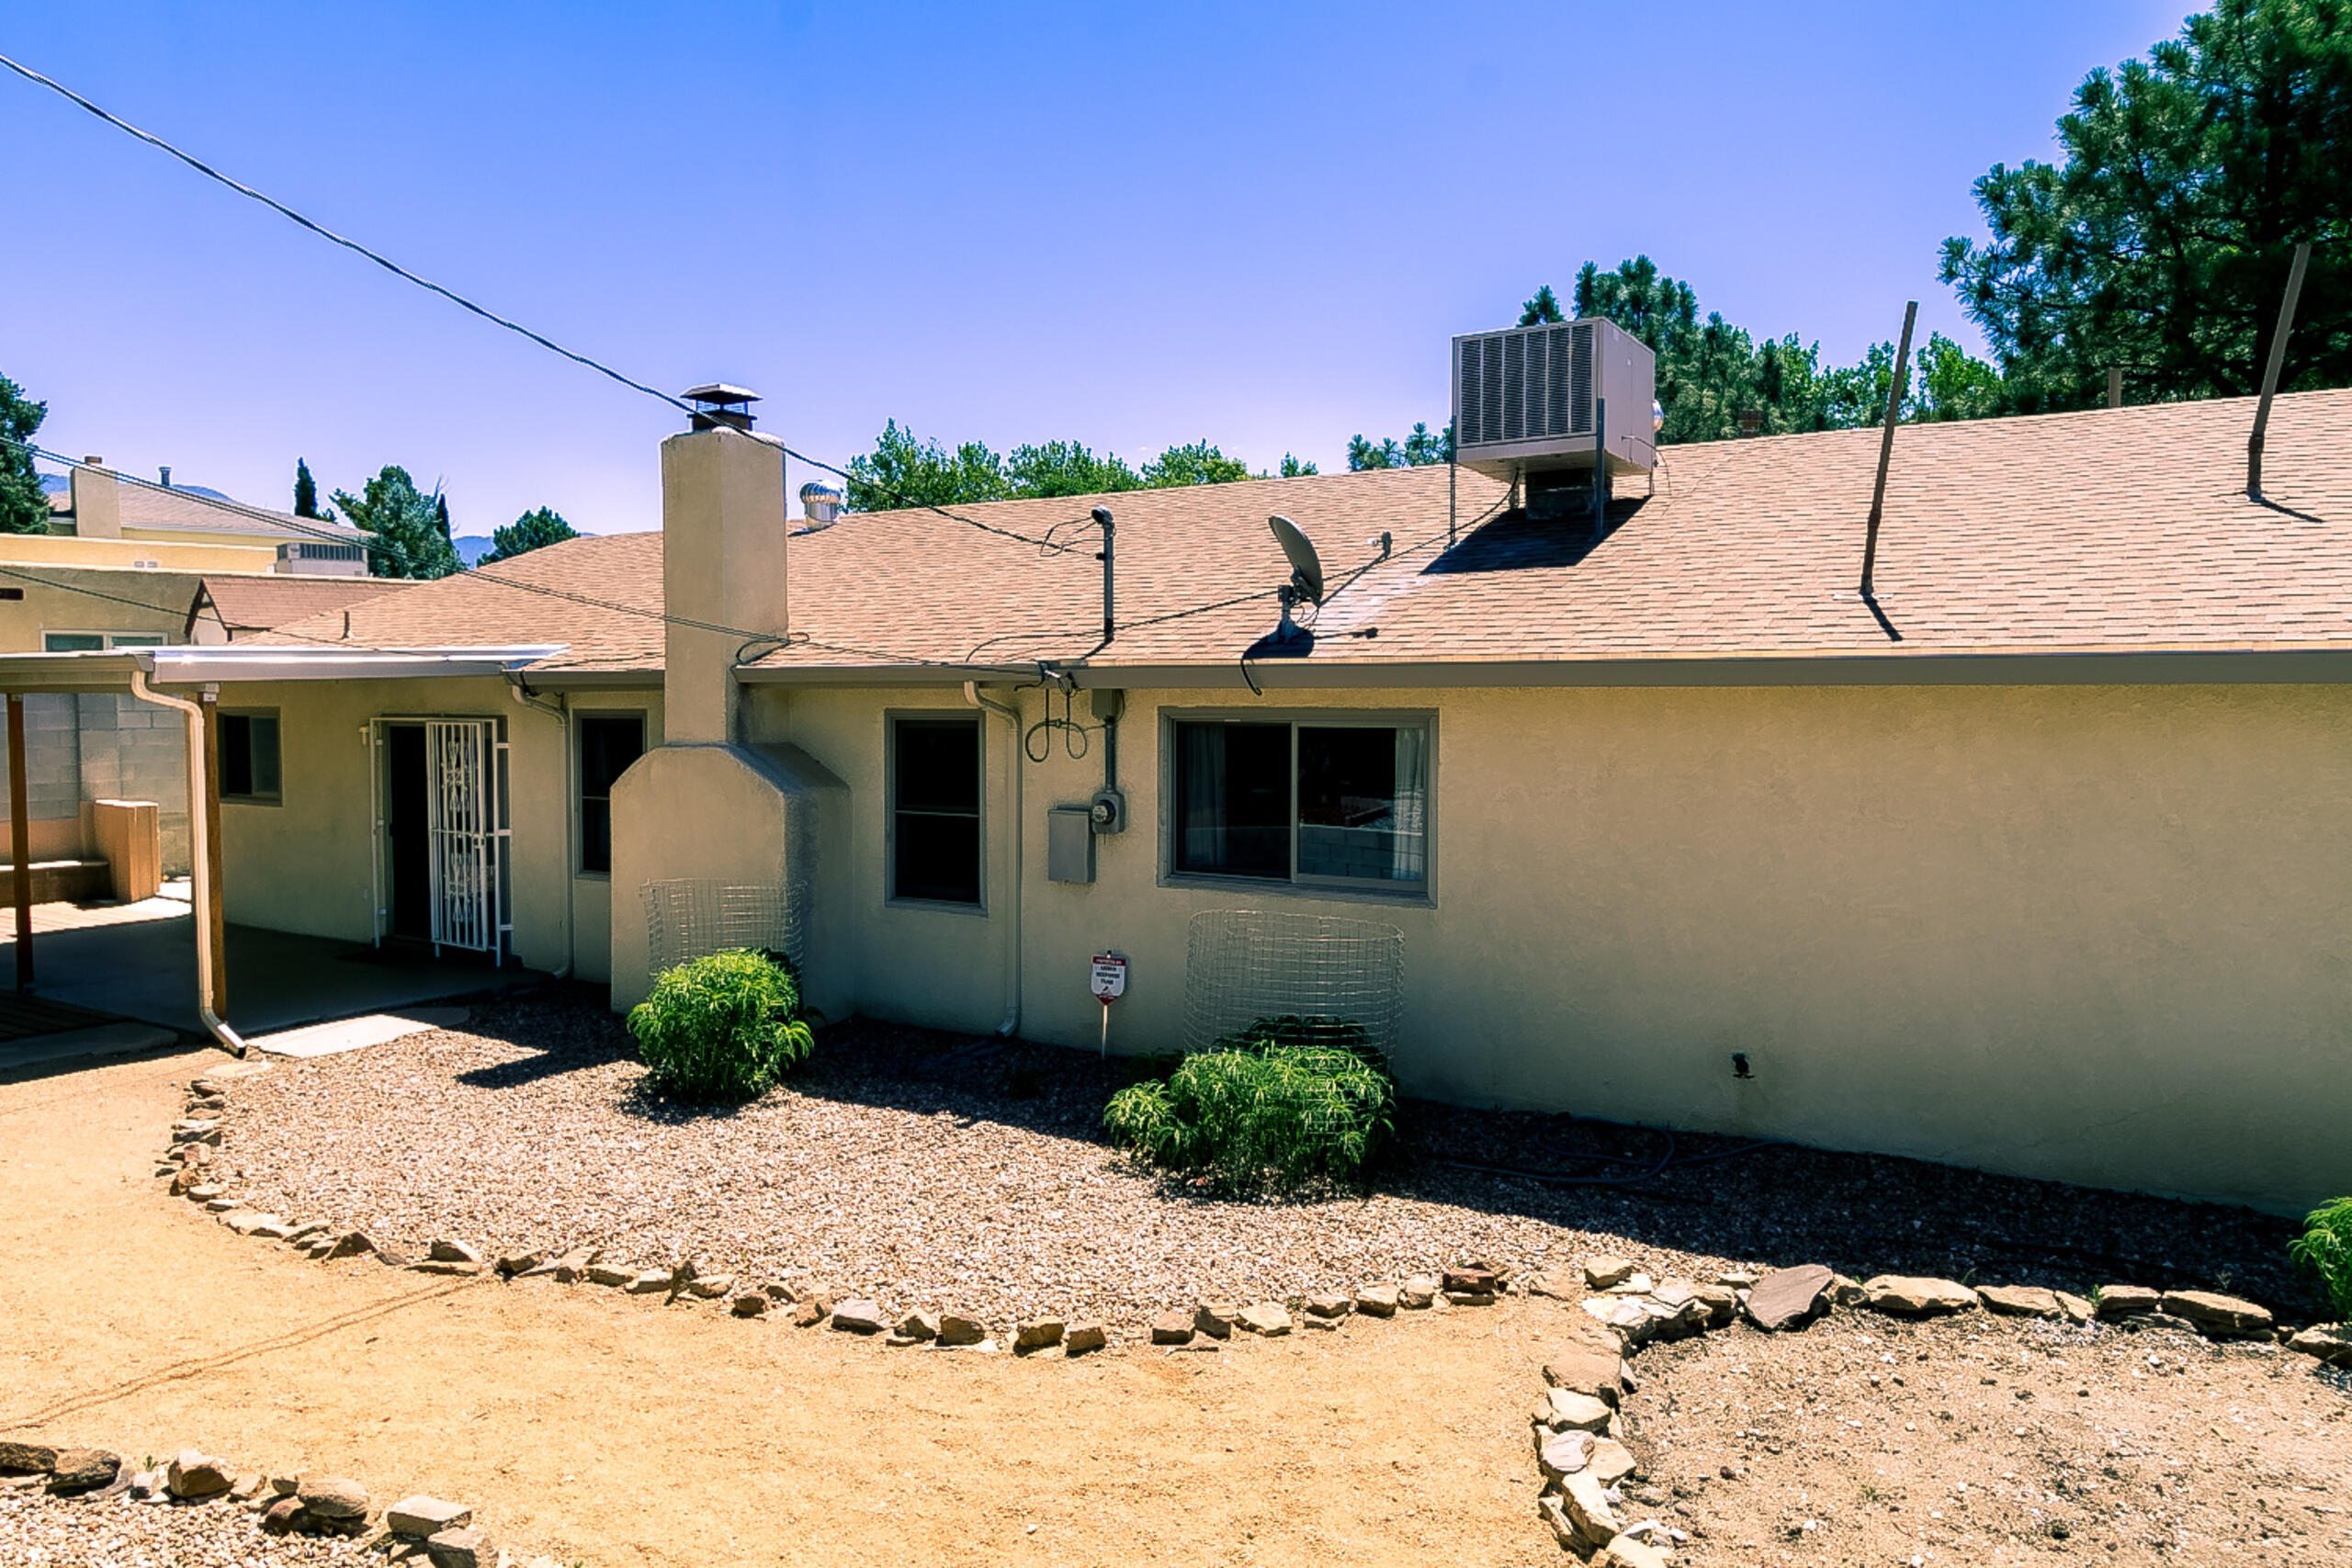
x=1130, y=227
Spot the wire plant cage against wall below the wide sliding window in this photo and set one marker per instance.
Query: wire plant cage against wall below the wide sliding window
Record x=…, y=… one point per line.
x=1248, y=965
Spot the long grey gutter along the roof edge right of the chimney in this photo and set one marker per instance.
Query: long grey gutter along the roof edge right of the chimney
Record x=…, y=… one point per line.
x=2000, y=669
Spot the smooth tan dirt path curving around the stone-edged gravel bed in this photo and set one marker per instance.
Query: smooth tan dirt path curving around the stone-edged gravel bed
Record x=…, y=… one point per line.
x=620, y=1433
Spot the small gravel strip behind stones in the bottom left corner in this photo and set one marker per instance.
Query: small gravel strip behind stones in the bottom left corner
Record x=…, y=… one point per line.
x=46, y=1532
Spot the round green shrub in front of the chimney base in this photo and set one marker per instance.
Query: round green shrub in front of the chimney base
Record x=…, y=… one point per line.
x=721, y=1028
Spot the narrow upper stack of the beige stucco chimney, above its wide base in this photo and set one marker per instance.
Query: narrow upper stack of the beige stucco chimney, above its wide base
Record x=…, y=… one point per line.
x=723, y=528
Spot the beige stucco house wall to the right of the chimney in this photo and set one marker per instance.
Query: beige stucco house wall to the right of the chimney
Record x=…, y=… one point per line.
x=2076, y=932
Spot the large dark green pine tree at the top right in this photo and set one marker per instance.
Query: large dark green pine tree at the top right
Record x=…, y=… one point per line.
x=2160, y=241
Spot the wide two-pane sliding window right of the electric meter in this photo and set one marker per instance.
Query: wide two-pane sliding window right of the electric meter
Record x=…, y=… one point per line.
x=1304, y=803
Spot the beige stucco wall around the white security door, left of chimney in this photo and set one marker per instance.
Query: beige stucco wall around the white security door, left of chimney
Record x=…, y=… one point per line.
x=309, y=862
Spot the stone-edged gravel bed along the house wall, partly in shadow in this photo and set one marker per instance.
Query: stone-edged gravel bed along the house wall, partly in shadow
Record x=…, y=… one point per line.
x=907, y=1165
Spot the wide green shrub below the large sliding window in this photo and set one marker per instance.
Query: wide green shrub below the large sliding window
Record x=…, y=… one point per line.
x=1278, y=1101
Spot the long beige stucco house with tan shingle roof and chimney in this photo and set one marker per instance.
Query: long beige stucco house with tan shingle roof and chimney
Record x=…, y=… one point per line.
x=2040, y=862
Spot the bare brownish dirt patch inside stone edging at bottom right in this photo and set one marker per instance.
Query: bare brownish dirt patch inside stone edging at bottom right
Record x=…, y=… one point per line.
x=1989, y=1440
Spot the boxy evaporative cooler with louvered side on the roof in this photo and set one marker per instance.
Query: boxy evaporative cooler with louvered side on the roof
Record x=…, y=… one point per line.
x=1523, y=398
